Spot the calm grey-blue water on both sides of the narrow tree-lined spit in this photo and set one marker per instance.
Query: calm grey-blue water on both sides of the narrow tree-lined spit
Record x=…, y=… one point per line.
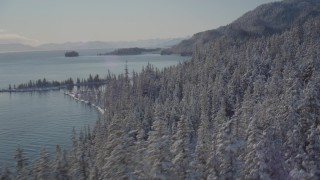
x=35, y=120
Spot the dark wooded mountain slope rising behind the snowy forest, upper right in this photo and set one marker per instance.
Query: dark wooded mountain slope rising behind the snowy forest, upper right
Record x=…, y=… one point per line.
x=265, y=20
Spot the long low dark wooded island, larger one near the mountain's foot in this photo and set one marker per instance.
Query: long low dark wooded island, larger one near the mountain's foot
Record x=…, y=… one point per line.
x=131, y=51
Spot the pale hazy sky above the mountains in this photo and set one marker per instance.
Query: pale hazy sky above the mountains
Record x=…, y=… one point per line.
x=45, y=21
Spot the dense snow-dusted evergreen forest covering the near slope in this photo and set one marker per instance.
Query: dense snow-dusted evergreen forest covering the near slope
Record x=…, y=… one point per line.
x=241, y=108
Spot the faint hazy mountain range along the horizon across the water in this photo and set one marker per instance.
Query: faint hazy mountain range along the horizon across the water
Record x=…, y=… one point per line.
x=152, y=43
